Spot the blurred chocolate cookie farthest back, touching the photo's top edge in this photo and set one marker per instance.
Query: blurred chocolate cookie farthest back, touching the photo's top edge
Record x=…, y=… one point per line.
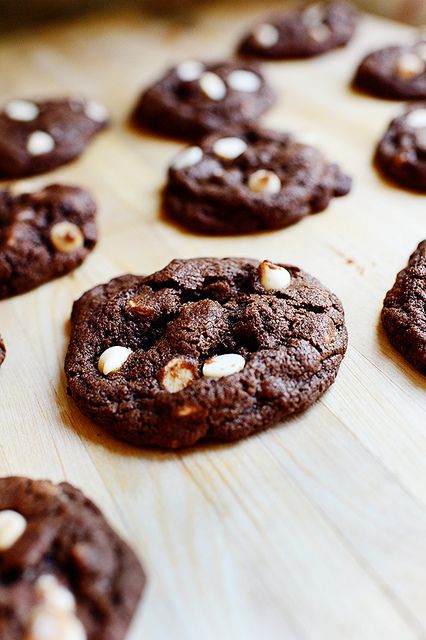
x=302, y=32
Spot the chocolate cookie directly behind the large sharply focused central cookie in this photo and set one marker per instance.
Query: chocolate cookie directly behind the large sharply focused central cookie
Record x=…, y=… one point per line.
x=251, y=180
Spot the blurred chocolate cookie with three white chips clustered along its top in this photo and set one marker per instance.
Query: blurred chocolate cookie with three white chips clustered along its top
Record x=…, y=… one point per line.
x=194, y=98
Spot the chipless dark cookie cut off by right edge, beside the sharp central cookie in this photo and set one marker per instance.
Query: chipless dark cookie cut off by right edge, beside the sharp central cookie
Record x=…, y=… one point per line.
x=404, y=310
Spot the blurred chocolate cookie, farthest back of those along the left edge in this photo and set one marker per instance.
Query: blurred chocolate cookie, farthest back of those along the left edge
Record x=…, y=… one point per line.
x=38, y=136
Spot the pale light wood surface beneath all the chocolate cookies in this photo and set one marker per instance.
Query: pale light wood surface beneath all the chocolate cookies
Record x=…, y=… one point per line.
x=315, y=529
